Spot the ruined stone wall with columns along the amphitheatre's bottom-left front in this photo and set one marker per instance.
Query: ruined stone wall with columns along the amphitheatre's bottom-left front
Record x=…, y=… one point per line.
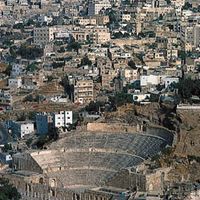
x=32, y=188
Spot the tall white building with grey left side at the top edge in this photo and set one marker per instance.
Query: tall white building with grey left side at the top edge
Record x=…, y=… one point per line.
x=96, y=6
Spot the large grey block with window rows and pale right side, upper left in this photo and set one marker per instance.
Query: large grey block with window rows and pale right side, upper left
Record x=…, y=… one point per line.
x=43, y=35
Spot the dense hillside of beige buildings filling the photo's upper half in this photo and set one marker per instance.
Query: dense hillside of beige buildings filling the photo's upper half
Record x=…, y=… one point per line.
x=150, y=42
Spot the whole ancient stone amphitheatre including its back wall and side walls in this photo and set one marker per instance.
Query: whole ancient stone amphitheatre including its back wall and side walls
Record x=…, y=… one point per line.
x=93, y=158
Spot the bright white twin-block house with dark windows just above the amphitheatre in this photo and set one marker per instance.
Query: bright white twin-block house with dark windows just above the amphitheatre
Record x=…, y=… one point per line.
x=62, y=119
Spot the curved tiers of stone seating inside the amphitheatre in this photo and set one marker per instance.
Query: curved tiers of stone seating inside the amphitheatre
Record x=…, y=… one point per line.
x=91, y=159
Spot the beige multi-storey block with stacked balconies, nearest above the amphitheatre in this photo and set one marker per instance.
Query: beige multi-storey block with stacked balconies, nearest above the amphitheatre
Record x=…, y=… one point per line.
x=83, y=91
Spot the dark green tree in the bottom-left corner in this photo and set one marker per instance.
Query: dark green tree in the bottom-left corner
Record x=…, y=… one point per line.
x=8, y=191
